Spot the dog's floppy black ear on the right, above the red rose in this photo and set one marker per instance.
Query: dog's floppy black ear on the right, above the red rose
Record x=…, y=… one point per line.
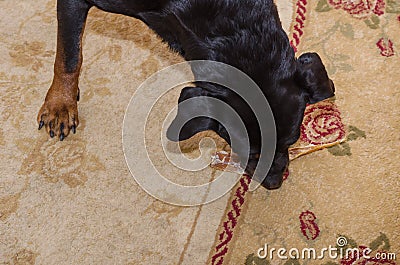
x=312, y=77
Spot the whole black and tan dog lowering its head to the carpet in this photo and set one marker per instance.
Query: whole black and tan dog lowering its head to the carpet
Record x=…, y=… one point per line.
x=245, y=34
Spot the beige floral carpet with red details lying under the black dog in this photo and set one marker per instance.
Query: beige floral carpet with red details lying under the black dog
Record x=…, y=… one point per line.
x=75, y=202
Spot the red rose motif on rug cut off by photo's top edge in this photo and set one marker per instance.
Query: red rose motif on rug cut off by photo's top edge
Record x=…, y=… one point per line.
x=361, y=9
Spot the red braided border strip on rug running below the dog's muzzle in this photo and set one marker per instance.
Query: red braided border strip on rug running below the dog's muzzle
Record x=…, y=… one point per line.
x=232, y=217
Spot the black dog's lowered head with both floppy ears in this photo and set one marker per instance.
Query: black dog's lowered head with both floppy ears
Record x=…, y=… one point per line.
x=308, y=83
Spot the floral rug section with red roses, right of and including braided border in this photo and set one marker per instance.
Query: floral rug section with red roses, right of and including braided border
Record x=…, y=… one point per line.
x=345, y=197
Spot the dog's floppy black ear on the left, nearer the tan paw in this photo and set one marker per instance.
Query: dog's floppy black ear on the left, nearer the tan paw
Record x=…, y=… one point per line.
x=184, y=125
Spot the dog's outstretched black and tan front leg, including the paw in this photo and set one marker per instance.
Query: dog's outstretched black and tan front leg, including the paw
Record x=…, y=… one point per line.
x=59, y=113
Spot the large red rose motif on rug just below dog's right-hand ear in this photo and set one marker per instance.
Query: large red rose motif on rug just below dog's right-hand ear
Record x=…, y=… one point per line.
x=322, y=124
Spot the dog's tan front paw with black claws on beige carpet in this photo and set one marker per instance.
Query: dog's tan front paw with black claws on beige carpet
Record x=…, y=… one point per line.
x=59, y=114
